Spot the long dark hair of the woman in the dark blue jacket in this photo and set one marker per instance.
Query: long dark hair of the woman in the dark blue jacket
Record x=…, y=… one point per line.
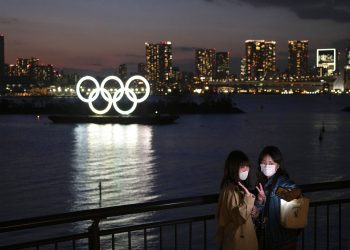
x=277, y=157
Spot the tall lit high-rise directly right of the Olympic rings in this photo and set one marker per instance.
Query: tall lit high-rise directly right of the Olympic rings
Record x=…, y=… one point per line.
x=159, y=65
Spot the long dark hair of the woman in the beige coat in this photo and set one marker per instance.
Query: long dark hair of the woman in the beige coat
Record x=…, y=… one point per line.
x=234, y=161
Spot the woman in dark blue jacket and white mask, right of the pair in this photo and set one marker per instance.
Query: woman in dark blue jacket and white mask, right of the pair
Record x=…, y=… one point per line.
x=272, y=175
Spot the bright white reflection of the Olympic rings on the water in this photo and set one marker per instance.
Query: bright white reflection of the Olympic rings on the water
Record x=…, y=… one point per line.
x=120, y=157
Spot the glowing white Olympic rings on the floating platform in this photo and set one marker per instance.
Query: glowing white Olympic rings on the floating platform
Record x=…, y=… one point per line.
x=117, y=96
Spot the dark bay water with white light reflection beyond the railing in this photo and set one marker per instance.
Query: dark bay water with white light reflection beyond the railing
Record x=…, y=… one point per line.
x=50, y=168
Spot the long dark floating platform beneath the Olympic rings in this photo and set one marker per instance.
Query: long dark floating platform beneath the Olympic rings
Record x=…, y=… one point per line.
x=146, y=119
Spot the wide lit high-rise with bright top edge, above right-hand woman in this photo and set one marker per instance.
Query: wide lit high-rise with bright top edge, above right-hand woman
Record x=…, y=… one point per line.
x=260, y=59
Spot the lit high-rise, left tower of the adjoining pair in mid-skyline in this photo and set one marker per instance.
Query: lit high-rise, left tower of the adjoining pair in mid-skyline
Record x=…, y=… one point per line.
x=205, y=59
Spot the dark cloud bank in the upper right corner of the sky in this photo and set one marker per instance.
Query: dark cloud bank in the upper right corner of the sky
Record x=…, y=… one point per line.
x=335, y=10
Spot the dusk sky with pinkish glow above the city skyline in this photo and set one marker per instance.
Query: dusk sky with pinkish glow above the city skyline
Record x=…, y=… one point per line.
x=99, y=35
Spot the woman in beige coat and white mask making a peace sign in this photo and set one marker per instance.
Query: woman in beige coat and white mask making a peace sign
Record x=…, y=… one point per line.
x=235, y=225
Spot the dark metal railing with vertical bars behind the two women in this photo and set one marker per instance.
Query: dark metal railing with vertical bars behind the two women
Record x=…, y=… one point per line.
x=93, y=233
